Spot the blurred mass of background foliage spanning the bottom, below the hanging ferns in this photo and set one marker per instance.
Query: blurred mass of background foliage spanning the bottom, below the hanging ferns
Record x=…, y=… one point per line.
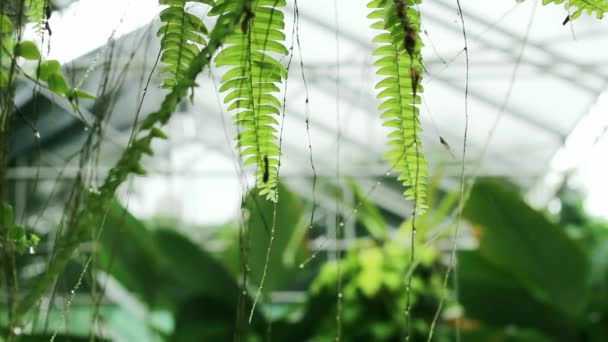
x=526, y=275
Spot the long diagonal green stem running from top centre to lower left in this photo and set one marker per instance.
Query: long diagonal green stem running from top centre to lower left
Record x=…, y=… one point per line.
x=91, y=213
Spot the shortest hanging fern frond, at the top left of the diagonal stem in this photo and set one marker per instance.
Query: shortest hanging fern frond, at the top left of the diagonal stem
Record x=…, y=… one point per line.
x=181, y=35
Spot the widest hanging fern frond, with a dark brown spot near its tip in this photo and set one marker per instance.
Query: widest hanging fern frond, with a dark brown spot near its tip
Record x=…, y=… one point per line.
x=251, y=83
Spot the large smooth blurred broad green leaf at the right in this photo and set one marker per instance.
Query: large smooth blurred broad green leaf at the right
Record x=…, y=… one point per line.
x=519, y=240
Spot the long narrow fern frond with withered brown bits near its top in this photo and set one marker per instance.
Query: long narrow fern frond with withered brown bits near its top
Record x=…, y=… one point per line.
x=400, y=63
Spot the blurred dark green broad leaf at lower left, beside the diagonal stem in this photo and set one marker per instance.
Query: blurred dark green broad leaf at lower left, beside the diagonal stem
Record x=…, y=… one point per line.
x=187, y=280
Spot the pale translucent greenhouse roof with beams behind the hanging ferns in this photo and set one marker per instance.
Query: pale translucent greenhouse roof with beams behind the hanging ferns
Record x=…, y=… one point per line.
x=532, y=83
